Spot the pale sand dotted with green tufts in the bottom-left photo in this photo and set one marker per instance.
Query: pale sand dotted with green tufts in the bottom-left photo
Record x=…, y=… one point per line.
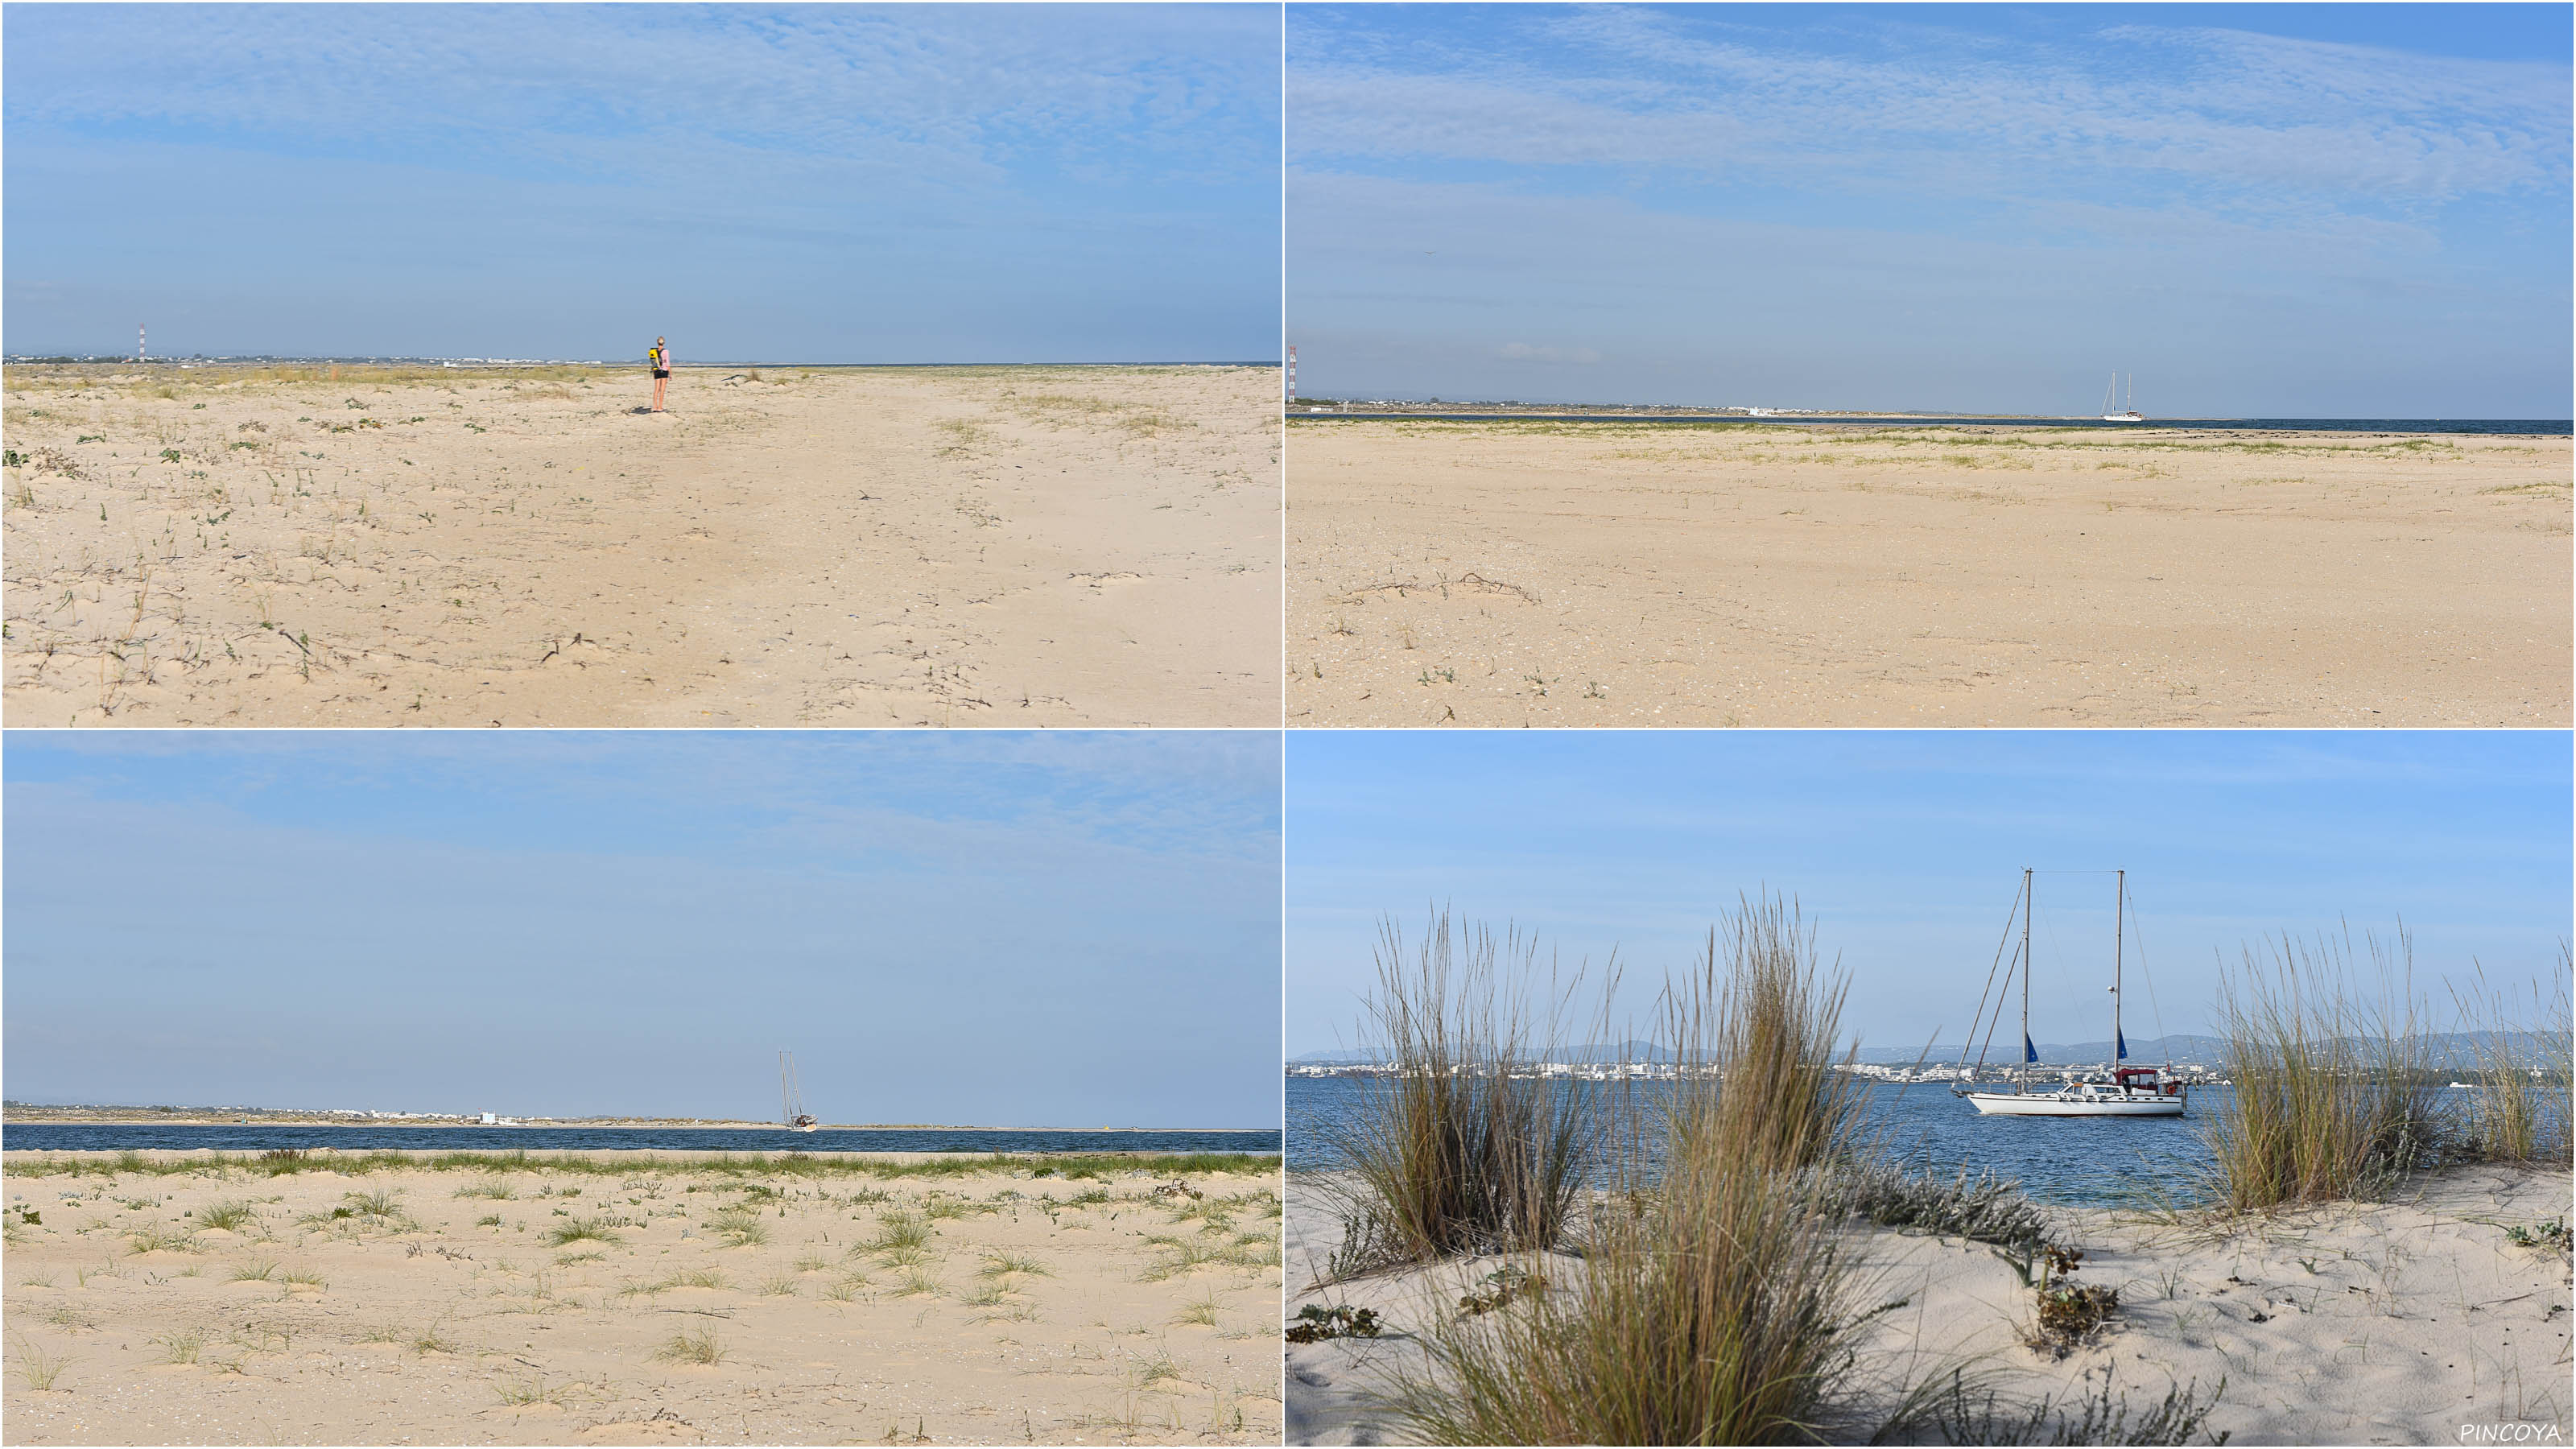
x=426, y=1327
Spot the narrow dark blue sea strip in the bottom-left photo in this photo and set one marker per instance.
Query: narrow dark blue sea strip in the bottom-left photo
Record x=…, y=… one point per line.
x=86, y=1138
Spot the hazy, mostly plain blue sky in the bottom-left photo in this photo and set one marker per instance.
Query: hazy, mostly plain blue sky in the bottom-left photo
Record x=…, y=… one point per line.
x=1011, y=929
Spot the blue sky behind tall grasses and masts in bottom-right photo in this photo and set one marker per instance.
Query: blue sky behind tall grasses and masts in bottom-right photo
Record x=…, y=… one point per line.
x=1908, y=847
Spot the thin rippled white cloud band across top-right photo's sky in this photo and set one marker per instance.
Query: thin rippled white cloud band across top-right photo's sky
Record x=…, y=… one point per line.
x=2235, y=112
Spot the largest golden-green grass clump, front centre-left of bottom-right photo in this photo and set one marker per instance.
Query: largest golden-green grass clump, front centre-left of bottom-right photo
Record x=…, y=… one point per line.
x=1712, y=1301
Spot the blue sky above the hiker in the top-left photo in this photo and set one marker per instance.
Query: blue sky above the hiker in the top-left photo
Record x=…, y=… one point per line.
x=759, y=184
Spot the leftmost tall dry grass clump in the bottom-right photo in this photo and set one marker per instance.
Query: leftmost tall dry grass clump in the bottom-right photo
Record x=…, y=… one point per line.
x=1462, y=1146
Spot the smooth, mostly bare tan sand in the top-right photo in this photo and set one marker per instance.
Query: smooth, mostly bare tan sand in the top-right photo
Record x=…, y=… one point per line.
x=1588, y=574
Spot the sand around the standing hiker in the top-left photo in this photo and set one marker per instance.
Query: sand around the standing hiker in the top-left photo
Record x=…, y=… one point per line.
x=475, y=548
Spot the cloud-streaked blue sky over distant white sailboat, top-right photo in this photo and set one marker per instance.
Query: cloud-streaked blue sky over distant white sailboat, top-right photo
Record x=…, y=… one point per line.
x=2258, y=210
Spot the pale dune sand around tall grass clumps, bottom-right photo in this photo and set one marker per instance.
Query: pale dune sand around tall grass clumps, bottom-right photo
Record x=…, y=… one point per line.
x=2384, y=1324
